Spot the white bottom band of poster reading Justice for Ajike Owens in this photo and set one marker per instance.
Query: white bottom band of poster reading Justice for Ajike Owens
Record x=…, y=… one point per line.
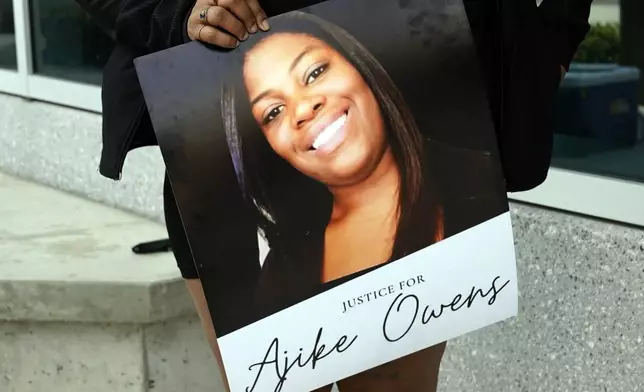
x=451, y=288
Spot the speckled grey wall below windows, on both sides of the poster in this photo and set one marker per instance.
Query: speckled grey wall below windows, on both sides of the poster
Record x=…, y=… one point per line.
x=581, y=320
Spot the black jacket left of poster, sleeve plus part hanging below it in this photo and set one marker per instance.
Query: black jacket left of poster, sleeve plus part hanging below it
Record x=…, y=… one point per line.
x=138, y=27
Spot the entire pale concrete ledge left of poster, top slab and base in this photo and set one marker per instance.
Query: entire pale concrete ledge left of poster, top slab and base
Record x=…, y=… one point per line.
x=79, y=311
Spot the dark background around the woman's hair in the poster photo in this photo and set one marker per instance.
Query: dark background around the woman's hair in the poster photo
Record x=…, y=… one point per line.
x=425, y=46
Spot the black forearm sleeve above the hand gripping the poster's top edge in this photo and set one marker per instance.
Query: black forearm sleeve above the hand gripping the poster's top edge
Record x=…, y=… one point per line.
x=145, y=25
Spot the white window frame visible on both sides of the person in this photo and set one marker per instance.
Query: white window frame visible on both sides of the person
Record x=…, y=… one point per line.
x=592, y=195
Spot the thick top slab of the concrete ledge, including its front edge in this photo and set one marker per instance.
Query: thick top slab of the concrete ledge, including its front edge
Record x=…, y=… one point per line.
x=63, y=258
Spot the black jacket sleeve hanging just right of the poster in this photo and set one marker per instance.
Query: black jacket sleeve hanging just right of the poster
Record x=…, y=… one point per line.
x=529, y=47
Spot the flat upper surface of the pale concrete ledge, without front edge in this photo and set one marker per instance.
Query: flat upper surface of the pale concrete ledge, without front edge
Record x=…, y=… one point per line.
x=50, y=235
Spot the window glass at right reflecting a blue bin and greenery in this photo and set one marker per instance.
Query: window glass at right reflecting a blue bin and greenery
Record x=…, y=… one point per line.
x=599, y=123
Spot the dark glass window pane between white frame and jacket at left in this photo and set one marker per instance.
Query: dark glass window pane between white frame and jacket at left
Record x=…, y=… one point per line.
x=66, y=44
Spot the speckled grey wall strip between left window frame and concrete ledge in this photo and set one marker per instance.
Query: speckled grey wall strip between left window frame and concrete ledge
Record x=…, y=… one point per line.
x=60, y=147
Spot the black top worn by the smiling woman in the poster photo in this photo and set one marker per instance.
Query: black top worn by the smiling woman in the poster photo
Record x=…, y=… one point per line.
x=286, y=281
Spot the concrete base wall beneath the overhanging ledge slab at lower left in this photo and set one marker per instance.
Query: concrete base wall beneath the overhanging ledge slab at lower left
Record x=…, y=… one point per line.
x=75, y=357
